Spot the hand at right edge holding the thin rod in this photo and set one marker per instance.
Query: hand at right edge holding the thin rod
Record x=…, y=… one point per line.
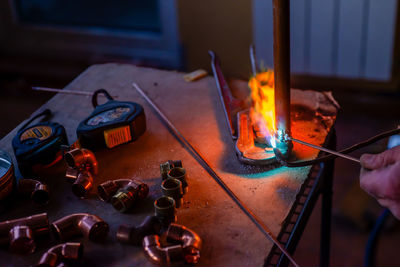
x=380, y=177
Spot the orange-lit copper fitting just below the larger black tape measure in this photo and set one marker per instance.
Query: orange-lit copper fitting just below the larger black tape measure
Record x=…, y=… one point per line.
x=82, y=167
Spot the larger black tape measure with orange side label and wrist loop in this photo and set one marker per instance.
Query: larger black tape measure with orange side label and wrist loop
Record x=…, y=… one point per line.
x=111, y=124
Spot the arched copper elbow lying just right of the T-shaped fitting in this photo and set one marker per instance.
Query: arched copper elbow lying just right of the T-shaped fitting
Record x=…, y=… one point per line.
x=88, y=225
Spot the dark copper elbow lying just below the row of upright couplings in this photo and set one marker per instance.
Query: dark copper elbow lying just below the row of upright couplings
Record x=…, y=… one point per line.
x=134, y=235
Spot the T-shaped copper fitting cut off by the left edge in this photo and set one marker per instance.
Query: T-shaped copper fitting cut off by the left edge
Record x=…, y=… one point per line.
x=20, y=233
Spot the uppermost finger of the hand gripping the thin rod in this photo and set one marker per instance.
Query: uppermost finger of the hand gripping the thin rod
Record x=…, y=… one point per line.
x=376, y=161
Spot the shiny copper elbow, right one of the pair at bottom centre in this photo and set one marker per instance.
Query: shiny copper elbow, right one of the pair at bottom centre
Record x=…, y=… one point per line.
x=190, y=241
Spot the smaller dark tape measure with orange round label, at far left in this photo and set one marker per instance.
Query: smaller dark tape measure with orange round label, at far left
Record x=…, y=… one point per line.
x=38, y=146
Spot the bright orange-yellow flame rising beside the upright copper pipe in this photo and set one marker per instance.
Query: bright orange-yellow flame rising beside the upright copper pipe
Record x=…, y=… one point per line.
x=262, y=112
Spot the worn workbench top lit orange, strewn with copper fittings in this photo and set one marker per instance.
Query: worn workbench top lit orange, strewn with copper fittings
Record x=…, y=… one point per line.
x=229, y=237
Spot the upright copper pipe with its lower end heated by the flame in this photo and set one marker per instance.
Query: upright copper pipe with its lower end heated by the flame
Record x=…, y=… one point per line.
x=281, y=14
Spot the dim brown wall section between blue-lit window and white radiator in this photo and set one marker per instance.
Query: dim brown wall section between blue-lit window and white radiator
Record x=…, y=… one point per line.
x=223, y=26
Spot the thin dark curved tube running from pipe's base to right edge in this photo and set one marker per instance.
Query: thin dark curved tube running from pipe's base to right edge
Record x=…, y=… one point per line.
x=302, y=163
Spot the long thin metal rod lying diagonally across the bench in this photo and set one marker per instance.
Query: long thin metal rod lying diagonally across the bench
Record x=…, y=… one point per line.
x=257, y=221
